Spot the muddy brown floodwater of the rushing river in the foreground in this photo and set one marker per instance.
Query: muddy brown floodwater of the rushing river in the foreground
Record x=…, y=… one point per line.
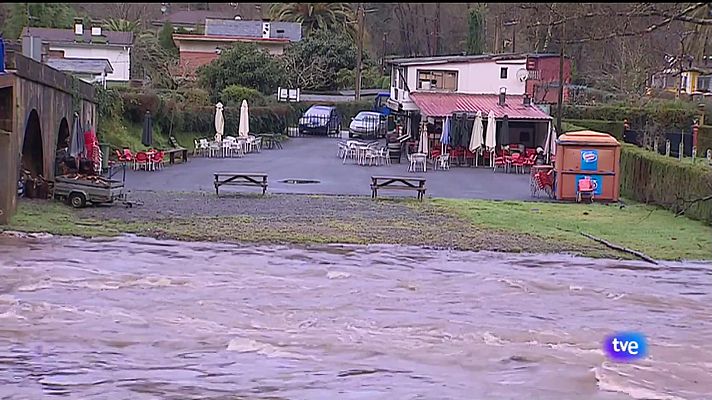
x=136, y=318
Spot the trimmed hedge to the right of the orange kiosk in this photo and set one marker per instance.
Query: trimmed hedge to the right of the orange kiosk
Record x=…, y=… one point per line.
x=652, y=178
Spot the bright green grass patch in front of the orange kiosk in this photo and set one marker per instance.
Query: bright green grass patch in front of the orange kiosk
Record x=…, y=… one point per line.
x=654, y=231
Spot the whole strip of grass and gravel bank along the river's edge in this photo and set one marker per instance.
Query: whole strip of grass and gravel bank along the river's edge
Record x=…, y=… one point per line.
x=461, y=224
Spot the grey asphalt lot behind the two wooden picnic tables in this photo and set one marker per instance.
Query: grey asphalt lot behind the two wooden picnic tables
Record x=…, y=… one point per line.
x=314, y=158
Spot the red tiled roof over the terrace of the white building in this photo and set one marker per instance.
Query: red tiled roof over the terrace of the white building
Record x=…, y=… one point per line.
x=444, y=104
